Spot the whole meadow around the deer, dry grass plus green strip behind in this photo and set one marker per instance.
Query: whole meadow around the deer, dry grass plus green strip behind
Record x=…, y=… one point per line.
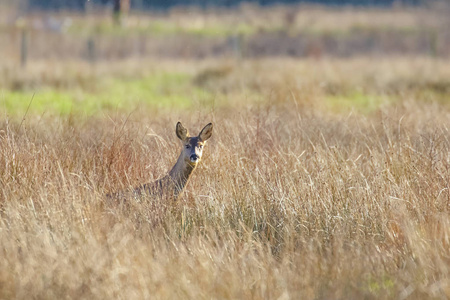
x=325, y=178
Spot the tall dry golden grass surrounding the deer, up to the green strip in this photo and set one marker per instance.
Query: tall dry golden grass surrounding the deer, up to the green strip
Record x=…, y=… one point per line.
x=290, y=201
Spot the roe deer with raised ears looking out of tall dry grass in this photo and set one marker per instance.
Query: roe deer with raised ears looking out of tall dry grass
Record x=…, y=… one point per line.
x=171, y=185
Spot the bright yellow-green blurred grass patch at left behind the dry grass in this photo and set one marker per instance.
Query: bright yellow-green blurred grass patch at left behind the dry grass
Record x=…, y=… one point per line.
x=156, y=91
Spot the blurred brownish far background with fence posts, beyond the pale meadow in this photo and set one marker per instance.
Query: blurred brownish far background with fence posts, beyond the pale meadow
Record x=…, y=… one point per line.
x=117, y=29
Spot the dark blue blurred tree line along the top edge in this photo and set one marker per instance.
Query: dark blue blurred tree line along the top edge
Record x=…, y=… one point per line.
x=166, y=4
